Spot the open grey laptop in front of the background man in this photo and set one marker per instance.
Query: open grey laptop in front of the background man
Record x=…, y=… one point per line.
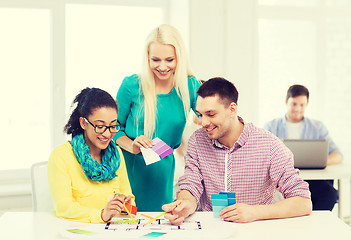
x=309, y=153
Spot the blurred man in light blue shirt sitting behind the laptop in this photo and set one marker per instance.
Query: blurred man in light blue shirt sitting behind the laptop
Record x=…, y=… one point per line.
x=294, y=125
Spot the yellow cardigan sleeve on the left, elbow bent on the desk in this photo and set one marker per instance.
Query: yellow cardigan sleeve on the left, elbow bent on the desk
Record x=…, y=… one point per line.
x=60, y=167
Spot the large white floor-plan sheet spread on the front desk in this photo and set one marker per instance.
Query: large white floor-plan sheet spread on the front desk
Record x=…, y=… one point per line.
x=204, y=227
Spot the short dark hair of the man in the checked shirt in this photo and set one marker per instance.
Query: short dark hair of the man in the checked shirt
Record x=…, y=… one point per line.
x=225, y=90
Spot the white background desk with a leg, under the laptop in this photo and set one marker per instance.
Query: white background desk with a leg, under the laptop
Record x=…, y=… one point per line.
x=334, y=172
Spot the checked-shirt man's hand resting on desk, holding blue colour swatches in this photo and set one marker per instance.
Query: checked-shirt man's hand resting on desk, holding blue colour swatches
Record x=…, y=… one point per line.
x=239, y=212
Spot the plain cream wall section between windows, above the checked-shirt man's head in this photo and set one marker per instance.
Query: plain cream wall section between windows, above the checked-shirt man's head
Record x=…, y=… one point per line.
x=222, y=45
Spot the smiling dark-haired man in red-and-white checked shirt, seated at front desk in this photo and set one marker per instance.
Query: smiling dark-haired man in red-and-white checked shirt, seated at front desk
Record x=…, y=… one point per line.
x=230, y=155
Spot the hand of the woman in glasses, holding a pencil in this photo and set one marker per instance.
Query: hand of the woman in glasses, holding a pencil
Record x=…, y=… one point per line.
x=114, y=207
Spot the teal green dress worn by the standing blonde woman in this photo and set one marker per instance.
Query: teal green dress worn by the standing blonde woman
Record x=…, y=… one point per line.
x=152, y=185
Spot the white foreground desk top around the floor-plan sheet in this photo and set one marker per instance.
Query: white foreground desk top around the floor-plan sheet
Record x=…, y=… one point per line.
x=321, y=225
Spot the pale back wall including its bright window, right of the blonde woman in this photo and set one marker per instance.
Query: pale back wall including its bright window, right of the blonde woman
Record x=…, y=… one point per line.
x=230, y=38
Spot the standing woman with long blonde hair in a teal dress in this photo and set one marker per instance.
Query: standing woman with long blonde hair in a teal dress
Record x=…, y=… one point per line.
x=155, y=103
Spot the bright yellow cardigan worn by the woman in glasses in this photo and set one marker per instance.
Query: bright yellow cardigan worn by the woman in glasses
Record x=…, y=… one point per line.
x=75, y=196
